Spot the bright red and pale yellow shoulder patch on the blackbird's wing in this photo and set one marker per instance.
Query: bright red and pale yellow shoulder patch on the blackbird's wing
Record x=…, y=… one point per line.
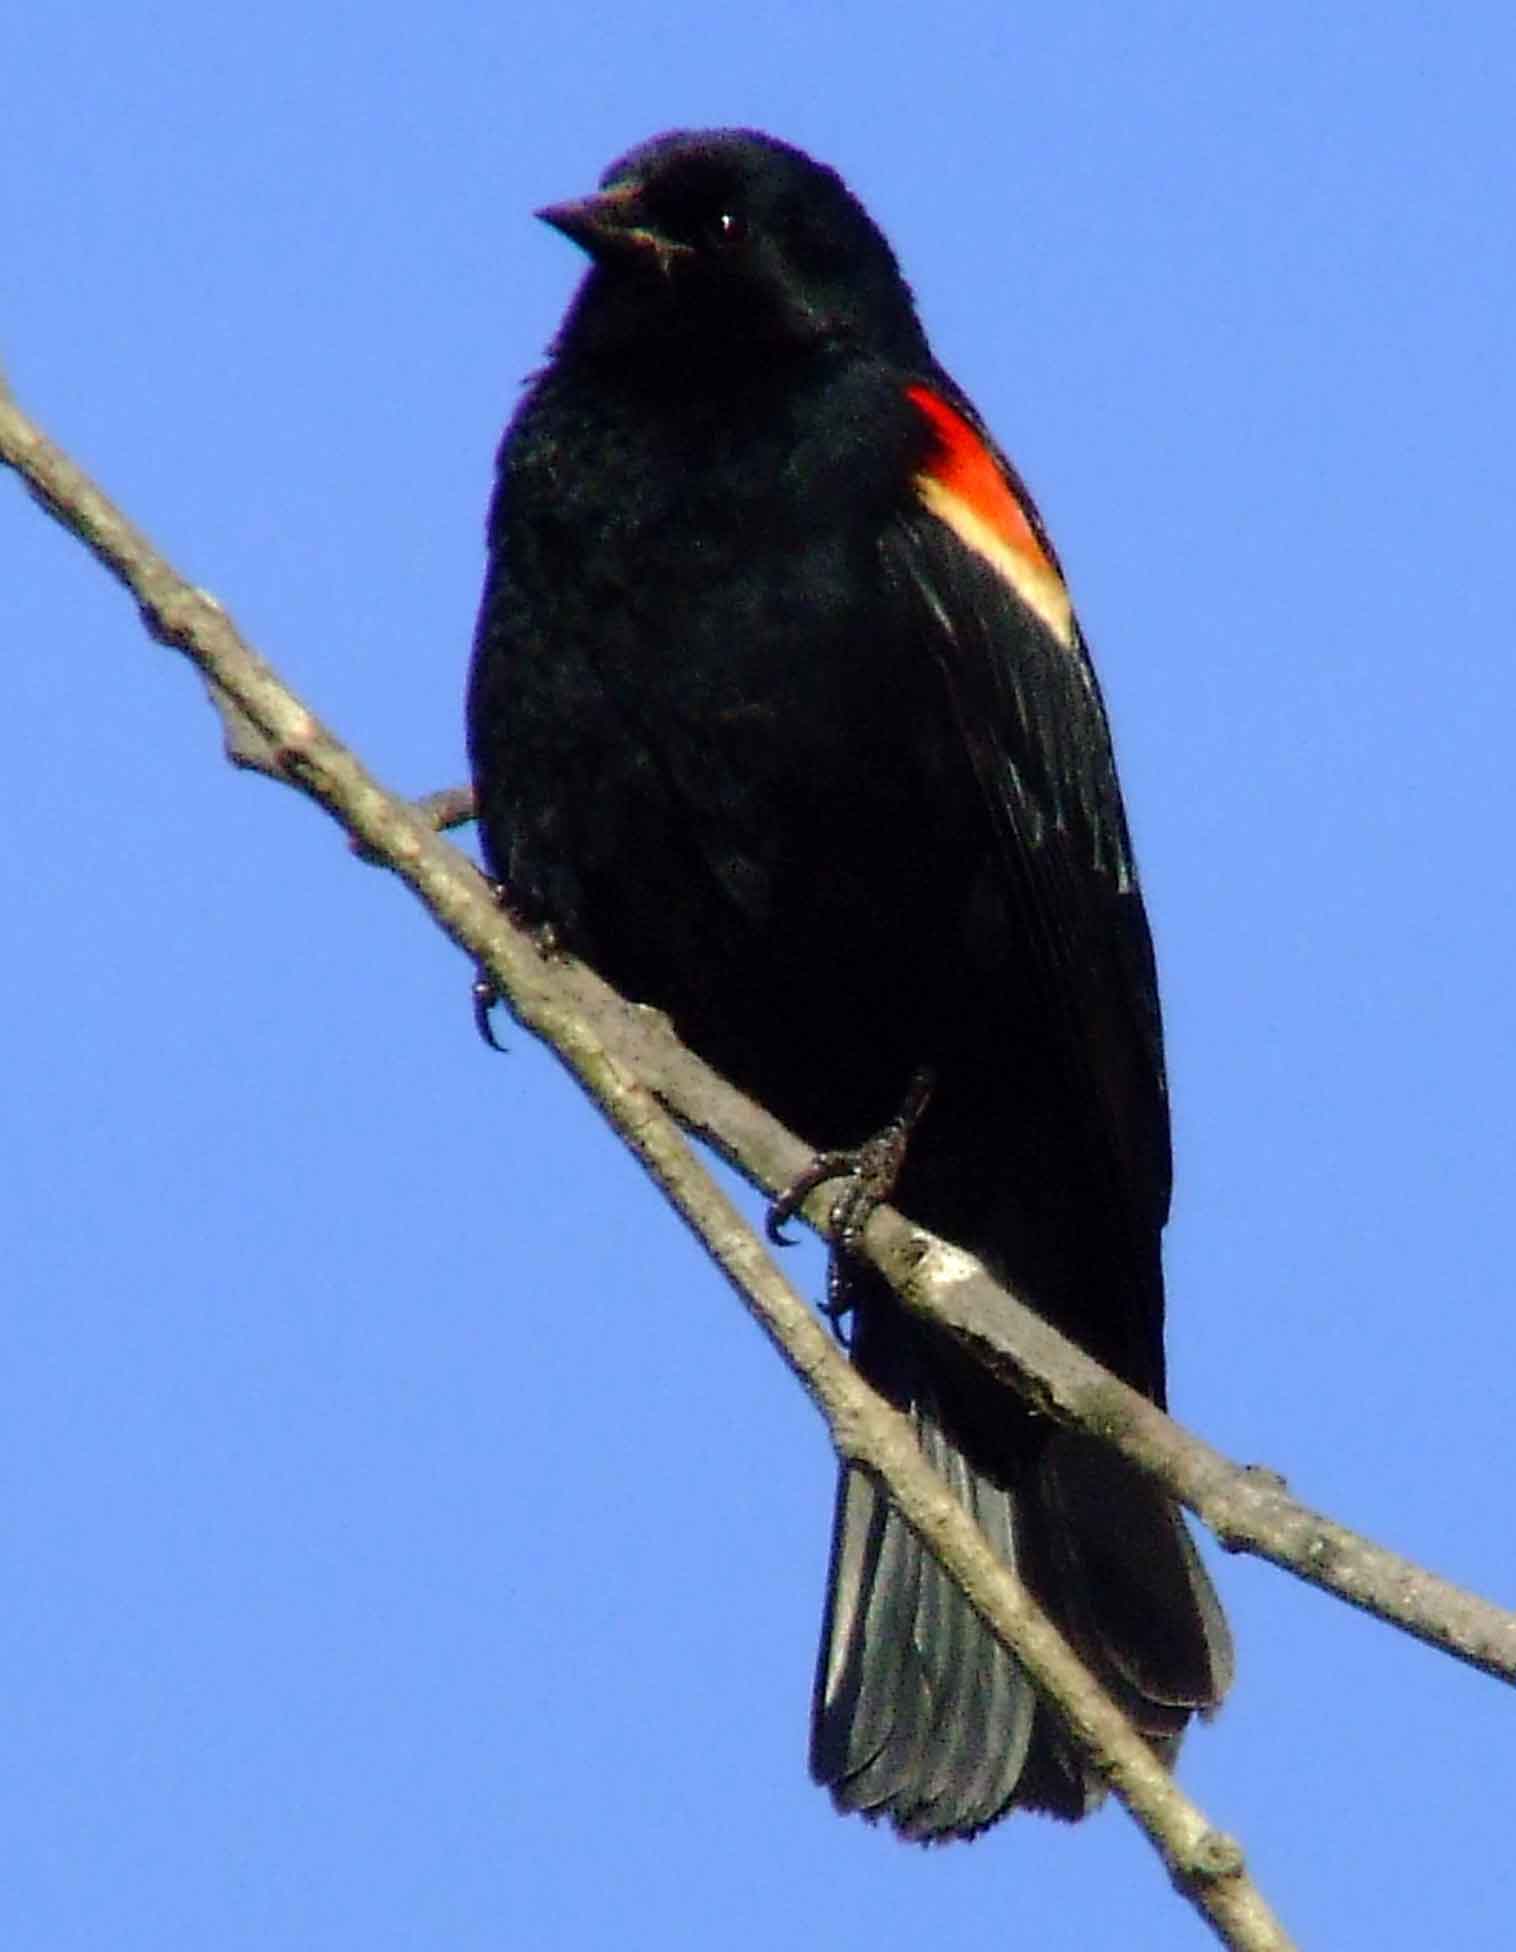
x=965, y=487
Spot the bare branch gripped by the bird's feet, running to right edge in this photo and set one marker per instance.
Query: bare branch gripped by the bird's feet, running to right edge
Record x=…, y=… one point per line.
x=594, y=1030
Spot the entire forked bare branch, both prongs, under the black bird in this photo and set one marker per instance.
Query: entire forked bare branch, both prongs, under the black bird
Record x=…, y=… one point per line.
x=629, y=1061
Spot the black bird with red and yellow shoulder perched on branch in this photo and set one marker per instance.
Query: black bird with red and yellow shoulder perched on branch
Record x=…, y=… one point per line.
x=779, y=715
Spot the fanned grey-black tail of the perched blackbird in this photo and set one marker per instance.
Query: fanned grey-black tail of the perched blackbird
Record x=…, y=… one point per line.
x=920, y=1715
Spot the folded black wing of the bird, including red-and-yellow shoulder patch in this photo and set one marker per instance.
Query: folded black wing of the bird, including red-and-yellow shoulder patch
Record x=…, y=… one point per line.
x=973, y=551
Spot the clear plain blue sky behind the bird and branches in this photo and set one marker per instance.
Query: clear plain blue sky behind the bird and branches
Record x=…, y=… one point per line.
x=407, y=1541
